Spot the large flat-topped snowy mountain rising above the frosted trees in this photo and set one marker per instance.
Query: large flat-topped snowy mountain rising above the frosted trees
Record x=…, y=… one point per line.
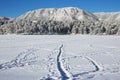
x=59, y=14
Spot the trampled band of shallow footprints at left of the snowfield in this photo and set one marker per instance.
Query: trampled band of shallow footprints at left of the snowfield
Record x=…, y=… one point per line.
x=24, y=58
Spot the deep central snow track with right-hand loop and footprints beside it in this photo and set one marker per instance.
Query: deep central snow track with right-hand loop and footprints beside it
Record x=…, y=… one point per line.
x=65, y=74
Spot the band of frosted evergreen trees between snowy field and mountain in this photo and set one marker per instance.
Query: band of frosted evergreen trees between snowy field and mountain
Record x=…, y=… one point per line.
x=28, y=27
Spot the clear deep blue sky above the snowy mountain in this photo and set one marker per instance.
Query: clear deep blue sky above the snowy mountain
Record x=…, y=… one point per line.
x=14, y=8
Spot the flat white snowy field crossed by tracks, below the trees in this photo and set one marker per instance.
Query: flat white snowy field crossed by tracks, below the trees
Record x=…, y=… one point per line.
x=59, y=57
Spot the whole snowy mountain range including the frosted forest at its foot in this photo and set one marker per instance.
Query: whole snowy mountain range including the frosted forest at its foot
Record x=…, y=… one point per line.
x=67, y=20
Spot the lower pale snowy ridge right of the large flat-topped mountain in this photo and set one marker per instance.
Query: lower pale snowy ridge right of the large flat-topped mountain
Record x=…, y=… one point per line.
x=108, y=16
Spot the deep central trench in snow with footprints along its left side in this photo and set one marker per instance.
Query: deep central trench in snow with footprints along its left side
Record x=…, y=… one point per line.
x=63, y=73
